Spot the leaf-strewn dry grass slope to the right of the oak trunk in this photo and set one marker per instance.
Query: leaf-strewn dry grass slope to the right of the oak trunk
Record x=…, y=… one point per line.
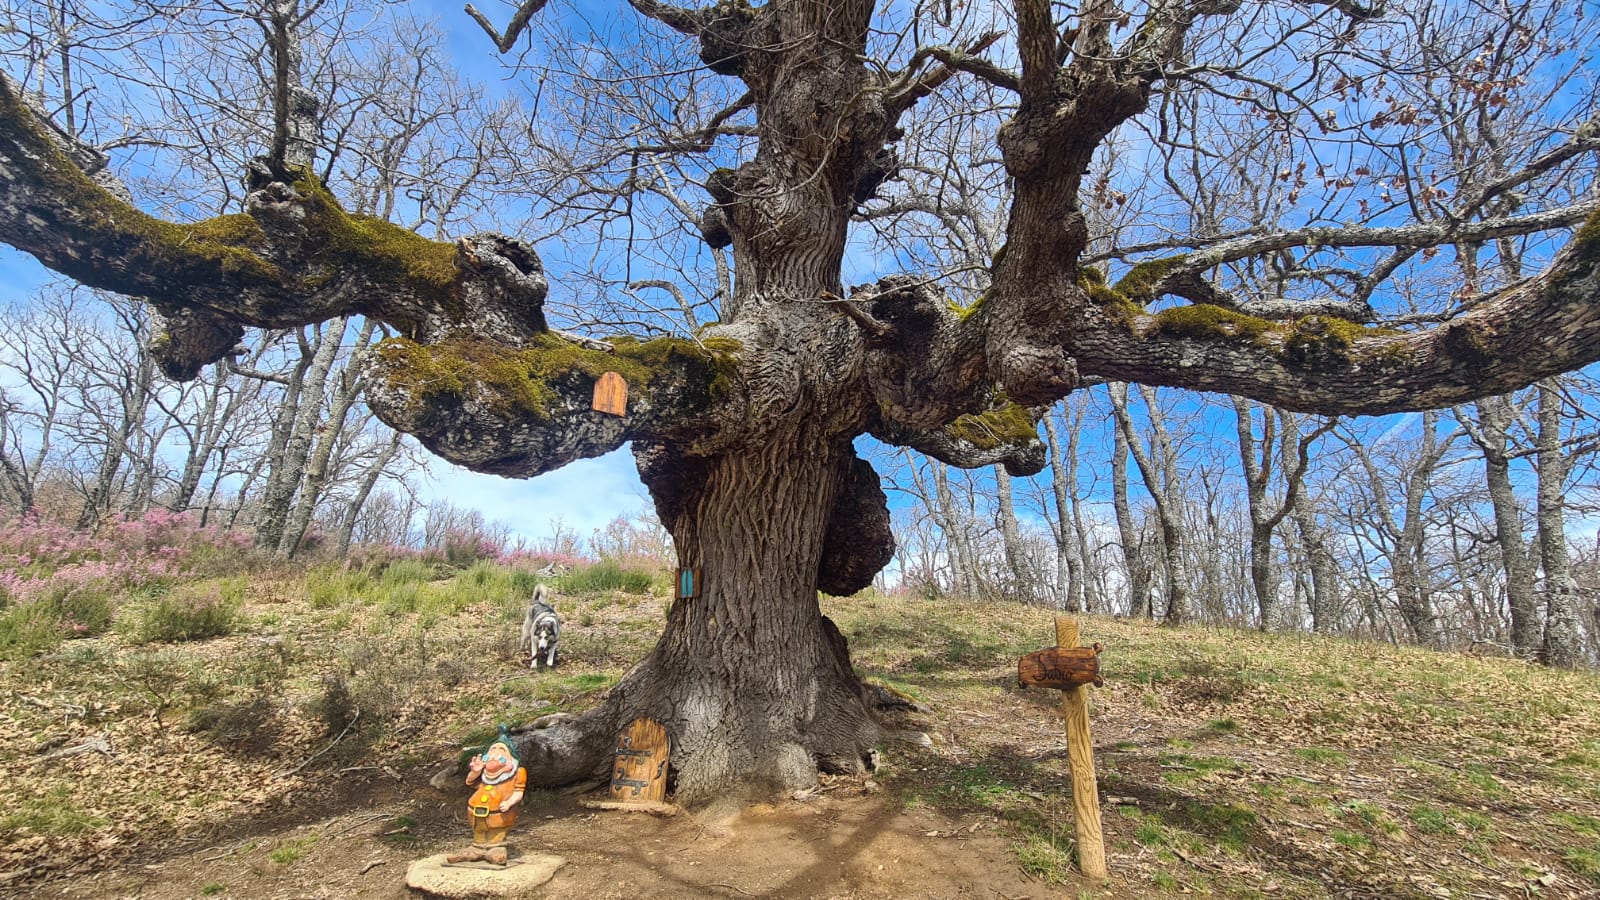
x=1244, y=765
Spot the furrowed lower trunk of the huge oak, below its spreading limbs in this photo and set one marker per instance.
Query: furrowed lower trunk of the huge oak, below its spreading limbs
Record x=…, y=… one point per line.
x=751, y=681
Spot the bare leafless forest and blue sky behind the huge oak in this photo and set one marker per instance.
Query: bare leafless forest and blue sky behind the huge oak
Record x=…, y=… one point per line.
x=1454, y=529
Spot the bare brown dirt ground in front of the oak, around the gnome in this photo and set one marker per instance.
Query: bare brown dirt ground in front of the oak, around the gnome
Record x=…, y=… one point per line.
x=841, y=845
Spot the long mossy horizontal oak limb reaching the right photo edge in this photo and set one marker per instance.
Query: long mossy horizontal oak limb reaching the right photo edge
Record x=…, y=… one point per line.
x=1537, y=329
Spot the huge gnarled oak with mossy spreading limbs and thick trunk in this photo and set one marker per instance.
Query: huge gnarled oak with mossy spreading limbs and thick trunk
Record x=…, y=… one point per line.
x=745, y=432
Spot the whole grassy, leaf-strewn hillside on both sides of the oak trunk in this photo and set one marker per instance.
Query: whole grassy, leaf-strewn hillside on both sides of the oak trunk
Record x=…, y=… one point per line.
x=1231, y=763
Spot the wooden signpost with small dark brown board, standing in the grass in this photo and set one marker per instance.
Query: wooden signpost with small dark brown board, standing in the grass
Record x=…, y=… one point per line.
x=1073, y=669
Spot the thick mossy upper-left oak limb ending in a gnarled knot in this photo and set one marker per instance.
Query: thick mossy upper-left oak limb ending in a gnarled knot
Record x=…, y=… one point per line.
x=295, y=257
